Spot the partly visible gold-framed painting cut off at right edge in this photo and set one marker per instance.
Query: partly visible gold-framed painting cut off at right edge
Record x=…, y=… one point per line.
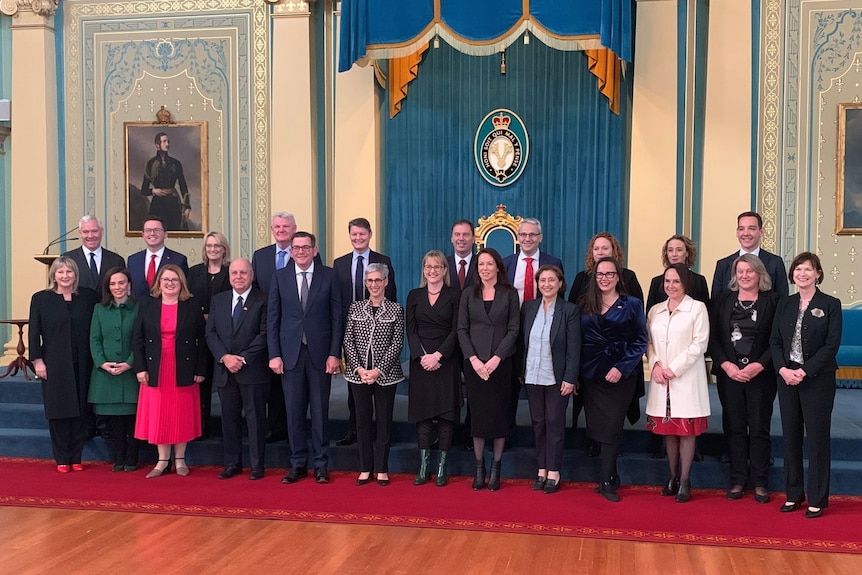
x=848, y=199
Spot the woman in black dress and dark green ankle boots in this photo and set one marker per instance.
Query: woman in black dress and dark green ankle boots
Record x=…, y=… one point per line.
x=435, y=375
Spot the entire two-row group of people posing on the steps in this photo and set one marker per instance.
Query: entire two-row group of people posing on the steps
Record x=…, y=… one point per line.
x=474, y=316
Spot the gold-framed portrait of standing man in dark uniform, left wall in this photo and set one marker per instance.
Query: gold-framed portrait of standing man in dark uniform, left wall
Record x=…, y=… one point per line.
x=166, y=176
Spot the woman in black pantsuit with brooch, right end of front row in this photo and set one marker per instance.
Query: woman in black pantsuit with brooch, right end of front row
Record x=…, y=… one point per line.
x=806, y=335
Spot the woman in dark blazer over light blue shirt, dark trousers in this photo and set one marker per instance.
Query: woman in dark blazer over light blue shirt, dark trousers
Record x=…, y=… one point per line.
x=550, y=344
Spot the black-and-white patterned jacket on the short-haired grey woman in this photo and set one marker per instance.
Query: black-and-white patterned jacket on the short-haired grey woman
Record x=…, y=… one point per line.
x=379, y=335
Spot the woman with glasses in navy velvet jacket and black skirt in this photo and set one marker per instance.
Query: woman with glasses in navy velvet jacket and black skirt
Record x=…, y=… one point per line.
x=614, y=340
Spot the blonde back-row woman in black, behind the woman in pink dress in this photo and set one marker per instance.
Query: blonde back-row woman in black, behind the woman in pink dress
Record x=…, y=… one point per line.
x=205, y=280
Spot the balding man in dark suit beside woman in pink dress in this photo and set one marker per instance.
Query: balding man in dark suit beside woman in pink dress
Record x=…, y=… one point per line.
x=236, y=335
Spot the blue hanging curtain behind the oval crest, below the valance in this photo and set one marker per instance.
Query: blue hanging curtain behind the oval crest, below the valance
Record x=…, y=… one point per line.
x=574, y=181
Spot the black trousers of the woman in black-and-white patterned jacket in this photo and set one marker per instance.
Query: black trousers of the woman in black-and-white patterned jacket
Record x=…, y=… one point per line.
x=374, y=406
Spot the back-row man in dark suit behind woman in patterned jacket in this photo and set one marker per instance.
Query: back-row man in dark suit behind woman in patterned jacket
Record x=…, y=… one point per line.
x=349, y=269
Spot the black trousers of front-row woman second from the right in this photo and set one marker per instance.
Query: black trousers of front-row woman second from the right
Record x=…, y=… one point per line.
x=748, y=407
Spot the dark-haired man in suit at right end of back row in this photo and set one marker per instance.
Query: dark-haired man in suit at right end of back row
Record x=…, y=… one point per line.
x=749, y=232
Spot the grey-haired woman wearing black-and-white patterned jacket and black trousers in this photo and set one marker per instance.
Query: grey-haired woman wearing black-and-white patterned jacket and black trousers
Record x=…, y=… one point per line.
x=373, y=340
